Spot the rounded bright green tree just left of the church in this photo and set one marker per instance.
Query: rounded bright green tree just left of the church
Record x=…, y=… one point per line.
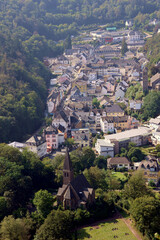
x=43, y=200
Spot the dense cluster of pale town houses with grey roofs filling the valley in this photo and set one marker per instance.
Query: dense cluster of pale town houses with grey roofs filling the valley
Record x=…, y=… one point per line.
x=84, y=73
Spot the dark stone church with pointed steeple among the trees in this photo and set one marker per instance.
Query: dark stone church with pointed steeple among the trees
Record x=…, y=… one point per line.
x=75, y=192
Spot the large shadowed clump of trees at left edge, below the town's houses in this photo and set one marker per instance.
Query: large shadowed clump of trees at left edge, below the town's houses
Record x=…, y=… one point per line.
x=21, y=175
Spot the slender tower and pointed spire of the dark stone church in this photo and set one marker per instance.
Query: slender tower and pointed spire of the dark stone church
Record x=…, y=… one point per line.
x=67, y=169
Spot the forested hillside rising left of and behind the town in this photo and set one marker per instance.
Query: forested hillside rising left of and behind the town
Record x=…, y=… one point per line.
x=29, y=30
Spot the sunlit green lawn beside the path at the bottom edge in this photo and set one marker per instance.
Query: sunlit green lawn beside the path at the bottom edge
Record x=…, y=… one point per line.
x=112, y=230
